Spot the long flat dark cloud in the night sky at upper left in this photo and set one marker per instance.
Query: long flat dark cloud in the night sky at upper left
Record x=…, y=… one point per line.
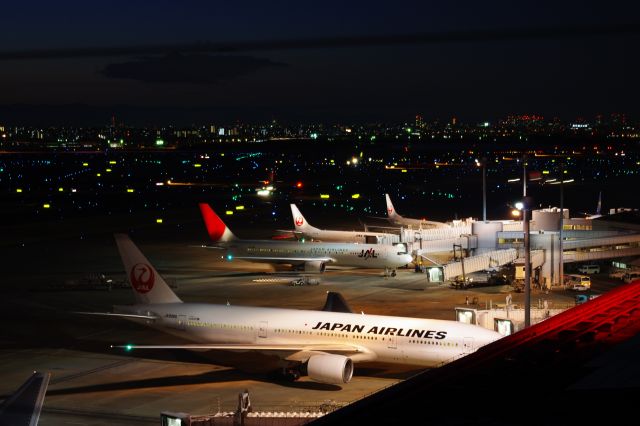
x=195, y=69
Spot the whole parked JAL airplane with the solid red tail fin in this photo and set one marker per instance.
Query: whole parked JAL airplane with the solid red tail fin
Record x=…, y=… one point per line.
x=310, y=256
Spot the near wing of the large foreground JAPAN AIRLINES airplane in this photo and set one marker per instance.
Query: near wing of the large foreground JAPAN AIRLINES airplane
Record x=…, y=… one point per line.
x=297, y=352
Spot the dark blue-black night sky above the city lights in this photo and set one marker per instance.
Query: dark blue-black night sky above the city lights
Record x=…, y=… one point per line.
x=473, y=80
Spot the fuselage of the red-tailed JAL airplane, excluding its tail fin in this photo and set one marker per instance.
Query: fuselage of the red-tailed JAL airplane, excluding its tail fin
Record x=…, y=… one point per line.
x=341, y=254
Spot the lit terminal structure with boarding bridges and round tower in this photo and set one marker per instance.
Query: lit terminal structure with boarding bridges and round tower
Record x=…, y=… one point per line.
x=556, y=239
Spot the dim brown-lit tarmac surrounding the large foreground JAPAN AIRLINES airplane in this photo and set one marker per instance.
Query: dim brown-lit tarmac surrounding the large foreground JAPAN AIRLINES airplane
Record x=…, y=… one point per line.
x=94, y=384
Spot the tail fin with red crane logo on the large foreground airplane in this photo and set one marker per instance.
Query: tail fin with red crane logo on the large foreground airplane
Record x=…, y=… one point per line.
x=147, y=284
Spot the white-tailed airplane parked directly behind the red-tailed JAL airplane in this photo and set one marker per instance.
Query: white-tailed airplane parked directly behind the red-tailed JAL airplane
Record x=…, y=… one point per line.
x=303, y=228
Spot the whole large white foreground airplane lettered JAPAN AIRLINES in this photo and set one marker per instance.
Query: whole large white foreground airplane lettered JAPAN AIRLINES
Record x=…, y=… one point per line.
x=326, y=342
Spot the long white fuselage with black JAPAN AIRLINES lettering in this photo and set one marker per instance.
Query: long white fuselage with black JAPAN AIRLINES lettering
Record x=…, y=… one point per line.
x=390, y=339
